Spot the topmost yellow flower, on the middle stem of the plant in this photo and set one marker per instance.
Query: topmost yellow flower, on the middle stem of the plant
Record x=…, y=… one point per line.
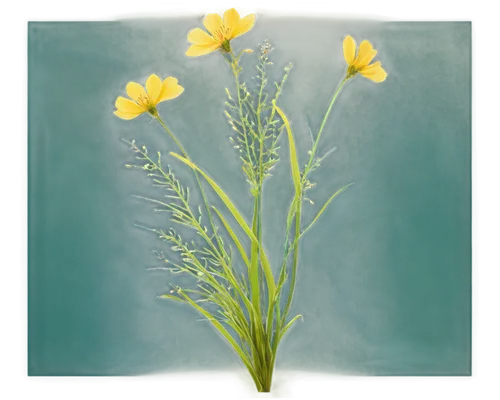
x=221, y=30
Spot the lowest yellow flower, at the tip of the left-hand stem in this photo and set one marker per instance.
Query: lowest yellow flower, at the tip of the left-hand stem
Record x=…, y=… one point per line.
x=146, y=99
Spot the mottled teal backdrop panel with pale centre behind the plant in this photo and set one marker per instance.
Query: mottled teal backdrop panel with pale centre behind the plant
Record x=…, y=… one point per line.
x=386, y=277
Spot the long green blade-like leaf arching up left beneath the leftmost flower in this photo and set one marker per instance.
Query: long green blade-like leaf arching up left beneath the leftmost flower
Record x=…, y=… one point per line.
x=271, y=285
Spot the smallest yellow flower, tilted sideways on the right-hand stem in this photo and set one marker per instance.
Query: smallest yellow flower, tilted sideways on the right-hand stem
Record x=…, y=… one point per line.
x=358, y=60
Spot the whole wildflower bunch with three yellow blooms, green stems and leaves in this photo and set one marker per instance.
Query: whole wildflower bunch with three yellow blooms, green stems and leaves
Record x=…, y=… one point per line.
x=251, y=309
